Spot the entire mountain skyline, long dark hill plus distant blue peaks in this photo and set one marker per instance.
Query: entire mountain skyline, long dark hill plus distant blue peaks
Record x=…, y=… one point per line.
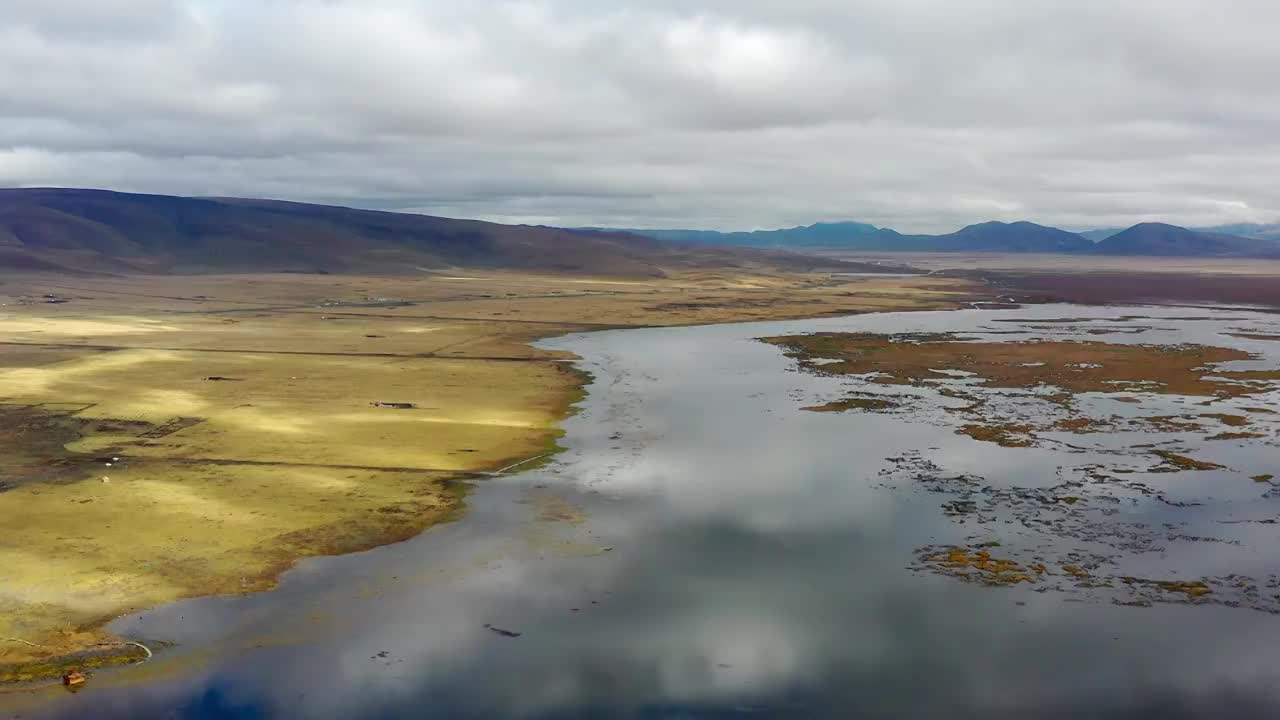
x=102, y=231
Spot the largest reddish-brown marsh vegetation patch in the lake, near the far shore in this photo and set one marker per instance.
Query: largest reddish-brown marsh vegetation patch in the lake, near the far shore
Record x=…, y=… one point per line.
x=1053, y=371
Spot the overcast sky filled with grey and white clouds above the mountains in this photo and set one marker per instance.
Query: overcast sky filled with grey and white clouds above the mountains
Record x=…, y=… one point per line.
x=734, y=115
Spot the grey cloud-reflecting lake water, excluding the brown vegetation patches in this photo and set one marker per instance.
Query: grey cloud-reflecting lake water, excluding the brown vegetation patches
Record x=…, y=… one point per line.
x=706, y=549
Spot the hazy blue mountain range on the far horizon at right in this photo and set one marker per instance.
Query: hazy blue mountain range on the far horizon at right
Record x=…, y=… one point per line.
x=1145, y=239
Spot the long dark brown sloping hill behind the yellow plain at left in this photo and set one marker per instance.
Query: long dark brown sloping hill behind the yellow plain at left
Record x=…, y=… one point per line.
x=100, y=231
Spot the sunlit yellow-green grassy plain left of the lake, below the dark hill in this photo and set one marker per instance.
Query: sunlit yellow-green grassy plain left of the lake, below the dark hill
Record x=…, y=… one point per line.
x=171, y=438
